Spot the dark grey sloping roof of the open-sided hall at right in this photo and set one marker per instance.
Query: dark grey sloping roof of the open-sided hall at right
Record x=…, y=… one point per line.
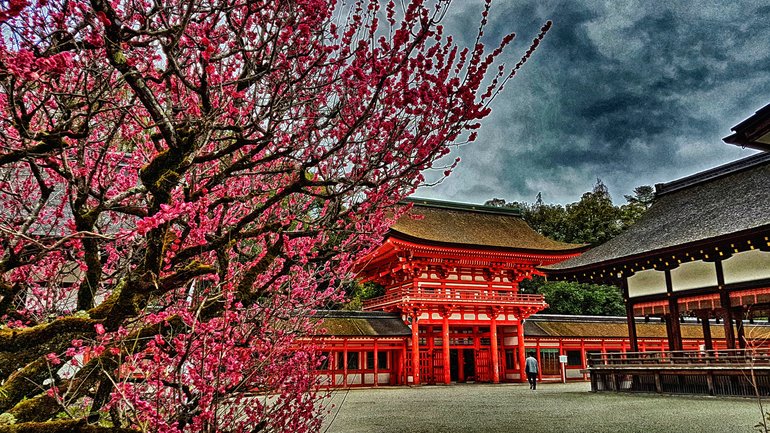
x=706, y=206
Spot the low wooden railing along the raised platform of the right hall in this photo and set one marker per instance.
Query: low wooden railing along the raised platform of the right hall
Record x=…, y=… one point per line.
x=750, y=357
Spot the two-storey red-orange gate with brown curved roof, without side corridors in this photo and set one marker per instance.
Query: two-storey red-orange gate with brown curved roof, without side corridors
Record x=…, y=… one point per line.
x=452, y=271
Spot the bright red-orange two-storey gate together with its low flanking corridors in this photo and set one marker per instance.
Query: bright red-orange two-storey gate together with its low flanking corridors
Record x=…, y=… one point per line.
x=452, y=310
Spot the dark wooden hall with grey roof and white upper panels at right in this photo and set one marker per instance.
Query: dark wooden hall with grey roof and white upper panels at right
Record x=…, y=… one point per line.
x=702, y=250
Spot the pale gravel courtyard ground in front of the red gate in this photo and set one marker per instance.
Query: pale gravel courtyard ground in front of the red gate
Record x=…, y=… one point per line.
x=556, y=408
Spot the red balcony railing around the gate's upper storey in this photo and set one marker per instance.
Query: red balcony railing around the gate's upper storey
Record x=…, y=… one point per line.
x=457, y=296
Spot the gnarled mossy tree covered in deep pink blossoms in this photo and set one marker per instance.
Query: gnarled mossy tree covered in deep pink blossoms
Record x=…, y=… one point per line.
x=183, y=182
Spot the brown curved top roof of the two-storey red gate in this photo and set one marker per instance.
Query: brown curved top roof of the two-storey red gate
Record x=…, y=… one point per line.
x=470, y=225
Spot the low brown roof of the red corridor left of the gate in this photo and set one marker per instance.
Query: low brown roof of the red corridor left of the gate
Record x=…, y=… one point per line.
x=362, y=324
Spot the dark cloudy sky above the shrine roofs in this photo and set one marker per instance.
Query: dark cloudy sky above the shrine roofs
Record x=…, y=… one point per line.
x=632, y=92
